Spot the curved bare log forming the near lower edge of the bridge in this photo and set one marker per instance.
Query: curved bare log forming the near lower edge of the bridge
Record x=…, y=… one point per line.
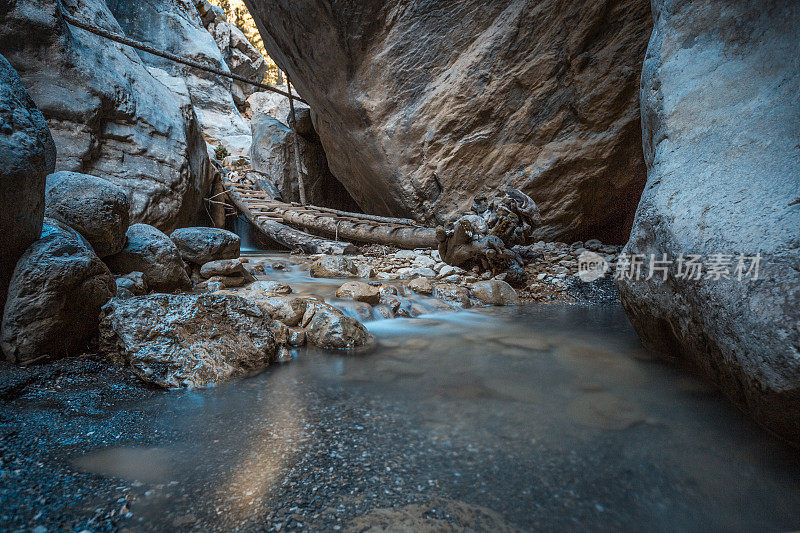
x=284, y=235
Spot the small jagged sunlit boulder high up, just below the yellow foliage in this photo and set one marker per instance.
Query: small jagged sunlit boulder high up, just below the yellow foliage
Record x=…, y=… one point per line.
x=241, y=57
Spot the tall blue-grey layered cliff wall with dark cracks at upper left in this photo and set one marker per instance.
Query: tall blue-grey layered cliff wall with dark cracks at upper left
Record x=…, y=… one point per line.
x=110, y=115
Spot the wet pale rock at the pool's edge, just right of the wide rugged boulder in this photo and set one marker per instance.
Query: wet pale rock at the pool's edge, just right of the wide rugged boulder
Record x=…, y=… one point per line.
x=327, y=327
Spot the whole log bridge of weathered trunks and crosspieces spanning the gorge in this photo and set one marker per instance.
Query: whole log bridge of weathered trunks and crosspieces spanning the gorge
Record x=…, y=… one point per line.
x=287, y=224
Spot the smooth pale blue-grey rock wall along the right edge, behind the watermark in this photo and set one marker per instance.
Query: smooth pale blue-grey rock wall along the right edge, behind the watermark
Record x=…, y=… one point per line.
x=719, y=115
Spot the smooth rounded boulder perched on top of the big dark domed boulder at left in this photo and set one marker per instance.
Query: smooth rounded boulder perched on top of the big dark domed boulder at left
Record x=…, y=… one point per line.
x=92, y=206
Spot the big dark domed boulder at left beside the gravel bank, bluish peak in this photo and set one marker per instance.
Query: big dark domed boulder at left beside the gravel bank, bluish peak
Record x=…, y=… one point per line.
x=55, y=296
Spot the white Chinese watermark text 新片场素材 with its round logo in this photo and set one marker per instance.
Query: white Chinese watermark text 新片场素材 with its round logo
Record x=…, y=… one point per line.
x=635, y=267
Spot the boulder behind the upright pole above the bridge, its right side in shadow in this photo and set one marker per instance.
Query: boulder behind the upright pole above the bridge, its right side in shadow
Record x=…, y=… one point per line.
x=272, y=153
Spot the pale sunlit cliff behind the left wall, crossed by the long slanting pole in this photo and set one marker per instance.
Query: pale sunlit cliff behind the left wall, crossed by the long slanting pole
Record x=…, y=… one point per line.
x=176, y=26
